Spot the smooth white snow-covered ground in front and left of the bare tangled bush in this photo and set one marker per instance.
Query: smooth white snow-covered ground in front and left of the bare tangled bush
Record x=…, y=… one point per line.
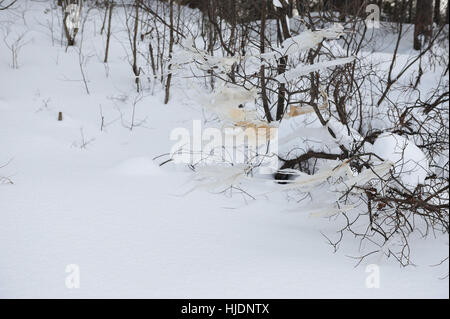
x=94, y=197
